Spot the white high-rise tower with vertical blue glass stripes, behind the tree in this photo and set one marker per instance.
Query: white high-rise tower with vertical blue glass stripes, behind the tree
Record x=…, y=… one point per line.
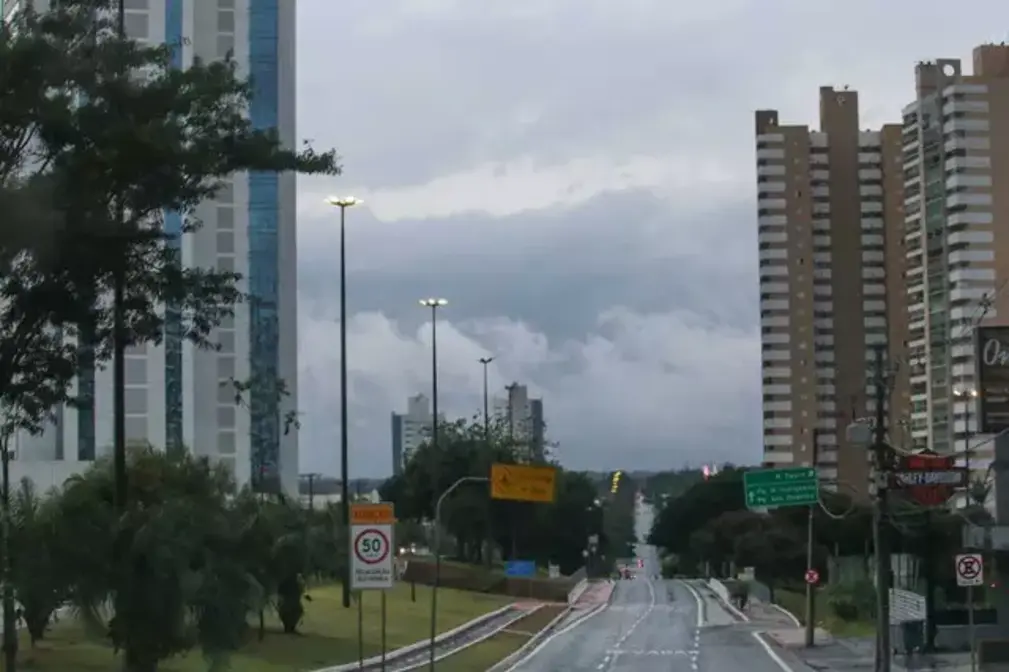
x=174, y=395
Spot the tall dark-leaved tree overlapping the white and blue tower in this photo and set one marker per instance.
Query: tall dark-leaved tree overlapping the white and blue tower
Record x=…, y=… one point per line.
x=113, y=154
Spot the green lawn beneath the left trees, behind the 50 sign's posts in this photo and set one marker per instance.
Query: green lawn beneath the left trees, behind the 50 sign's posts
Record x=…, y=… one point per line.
x=328, y=635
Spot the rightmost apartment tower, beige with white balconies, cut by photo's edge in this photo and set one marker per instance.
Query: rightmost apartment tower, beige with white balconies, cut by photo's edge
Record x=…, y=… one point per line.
x=956, y=148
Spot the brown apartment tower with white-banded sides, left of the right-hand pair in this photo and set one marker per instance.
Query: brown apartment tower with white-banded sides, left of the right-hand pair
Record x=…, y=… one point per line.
x=832, y=263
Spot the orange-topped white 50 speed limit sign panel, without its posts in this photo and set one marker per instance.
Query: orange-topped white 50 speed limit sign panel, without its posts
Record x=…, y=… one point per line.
x=372, y=546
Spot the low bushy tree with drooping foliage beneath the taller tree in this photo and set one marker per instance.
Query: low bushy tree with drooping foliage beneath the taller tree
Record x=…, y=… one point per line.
x=181, y=579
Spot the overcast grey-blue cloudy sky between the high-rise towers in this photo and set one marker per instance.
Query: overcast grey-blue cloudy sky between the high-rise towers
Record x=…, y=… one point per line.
x=577, y=177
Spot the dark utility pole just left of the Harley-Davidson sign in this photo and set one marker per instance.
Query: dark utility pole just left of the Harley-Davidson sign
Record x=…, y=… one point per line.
x=882, y=462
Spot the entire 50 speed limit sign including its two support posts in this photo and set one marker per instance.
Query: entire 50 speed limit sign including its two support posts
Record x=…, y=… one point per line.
x=372, y=559
